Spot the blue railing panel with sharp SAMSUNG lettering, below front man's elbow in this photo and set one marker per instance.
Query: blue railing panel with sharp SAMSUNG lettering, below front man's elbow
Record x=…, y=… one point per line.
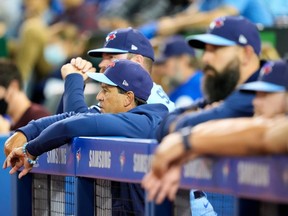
x=121, y=159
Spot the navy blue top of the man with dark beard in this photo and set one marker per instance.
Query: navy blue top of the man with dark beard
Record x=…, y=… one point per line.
x=237, y=104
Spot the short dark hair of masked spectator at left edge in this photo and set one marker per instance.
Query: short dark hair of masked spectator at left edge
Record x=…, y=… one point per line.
x=8, y=73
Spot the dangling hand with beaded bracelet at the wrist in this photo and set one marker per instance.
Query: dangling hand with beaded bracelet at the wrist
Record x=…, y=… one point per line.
x=16, y=159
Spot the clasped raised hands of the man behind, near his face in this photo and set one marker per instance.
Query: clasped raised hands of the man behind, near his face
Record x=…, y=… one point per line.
x=77, y=65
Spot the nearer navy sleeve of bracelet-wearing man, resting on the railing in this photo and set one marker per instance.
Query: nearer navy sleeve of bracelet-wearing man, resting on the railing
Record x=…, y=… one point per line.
x=61, y=132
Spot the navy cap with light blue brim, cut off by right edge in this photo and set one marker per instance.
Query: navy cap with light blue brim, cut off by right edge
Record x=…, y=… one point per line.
x=273, y=78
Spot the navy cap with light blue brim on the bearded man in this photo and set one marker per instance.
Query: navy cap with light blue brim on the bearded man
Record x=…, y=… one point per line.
x=228, y=31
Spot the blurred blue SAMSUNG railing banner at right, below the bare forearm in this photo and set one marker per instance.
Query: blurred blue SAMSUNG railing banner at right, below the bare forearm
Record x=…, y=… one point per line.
x=264, y=178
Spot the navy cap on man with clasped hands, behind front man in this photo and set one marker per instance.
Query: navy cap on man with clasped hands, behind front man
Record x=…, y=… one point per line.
x=126, y=40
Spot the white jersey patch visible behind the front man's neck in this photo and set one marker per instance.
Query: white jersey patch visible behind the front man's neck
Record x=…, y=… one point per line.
x=159, y=96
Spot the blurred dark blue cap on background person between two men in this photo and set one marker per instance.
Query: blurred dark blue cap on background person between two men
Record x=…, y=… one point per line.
x=175, y=46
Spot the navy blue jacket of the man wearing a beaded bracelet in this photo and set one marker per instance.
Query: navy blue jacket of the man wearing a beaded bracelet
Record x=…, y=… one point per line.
x=51, y=132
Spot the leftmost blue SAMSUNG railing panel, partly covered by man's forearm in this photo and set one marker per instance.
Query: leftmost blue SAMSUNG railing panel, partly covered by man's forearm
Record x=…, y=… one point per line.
x=59, y=161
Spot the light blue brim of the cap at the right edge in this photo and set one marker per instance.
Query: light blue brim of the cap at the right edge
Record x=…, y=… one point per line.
x=262, y=87
